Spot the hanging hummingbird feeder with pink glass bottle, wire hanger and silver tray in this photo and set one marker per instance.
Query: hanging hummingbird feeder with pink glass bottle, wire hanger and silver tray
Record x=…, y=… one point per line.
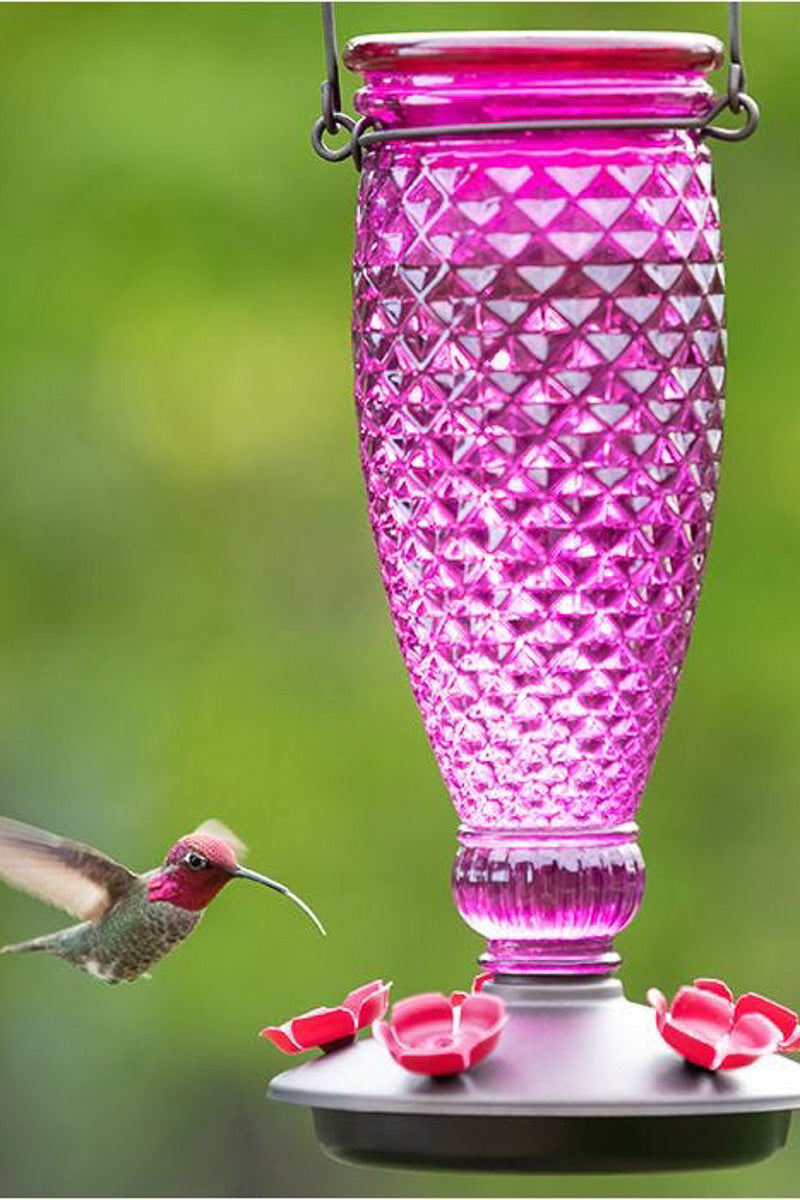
x=540, y=367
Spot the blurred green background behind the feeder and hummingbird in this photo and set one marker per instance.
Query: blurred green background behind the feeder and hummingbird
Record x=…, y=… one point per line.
x=191, y=620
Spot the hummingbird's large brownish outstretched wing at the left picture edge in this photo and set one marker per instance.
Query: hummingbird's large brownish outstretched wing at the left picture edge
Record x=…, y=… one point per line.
x=75, y=878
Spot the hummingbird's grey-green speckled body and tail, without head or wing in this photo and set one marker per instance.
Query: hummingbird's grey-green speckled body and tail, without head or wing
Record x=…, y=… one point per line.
x=125, y=944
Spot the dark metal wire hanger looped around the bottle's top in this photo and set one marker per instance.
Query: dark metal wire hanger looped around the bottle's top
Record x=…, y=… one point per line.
x=333, y=119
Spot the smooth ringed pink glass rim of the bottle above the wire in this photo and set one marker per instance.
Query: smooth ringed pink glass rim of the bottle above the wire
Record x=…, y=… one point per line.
x=474, y=79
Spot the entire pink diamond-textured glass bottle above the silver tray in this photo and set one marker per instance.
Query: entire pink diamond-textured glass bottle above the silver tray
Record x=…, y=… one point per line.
x=540, y=374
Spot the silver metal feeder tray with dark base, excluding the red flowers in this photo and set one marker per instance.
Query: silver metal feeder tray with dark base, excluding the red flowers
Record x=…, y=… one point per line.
x=580, y=1082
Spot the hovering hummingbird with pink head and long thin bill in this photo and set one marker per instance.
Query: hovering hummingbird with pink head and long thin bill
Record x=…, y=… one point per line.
x=128, y=921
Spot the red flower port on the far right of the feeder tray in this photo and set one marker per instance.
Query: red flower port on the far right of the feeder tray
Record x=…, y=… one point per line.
x=707, y=1028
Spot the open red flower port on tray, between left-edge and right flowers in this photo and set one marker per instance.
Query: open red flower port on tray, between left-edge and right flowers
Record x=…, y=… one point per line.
x=436, y=1035
